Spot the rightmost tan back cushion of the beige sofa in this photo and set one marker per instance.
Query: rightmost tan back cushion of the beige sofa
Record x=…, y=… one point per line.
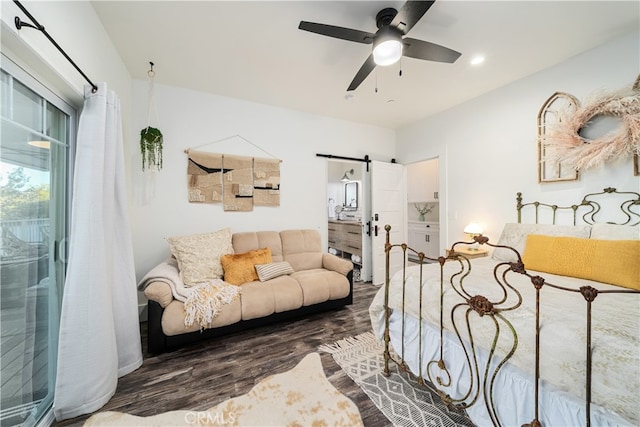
x=302, y=249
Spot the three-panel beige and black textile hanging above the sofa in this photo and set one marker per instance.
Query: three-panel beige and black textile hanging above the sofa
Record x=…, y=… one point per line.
x=238, y=182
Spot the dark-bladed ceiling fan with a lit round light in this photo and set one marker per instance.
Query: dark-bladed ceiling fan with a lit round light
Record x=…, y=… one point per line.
x=389, y=42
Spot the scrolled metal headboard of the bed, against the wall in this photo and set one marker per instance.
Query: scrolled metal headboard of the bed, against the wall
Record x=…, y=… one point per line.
x=609, y=206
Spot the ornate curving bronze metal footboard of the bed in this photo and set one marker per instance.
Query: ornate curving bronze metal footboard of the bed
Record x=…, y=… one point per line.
x=482, y=319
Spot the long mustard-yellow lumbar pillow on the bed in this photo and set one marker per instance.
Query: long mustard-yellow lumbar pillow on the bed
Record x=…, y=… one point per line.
x=608, y=261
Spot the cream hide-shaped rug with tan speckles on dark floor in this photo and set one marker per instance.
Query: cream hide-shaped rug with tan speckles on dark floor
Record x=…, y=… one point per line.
x=301, y=396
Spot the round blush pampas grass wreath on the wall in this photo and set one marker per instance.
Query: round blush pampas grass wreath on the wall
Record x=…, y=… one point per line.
x=576, y=151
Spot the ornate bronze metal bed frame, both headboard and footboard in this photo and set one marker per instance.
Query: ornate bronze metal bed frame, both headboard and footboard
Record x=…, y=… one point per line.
x=497, y=310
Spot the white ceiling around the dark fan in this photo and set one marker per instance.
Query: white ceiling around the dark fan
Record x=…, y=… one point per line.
x=253, y=50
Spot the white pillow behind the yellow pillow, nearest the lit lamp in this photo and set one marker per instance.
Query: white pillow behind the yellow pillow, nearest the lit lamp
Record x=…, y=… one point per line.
x=515, y=235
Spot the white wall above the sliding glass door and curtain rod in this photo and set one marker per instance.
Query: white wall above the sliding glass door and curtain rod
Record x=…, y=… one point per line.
x=78, y=30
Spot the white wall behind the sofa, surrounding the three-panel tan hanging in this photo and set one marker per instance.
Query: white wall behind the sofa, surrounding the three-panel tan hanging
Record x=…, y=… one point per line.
x=190, y=119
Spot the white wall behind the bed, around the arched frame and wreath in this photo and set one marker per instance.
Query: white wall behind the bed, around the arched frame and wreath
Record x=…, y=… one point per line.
x=487, y=146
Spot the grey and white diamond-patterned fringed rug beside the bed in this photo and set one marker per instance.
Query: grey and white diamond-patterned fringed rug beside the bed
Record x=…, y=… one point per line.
x=400, y=399
